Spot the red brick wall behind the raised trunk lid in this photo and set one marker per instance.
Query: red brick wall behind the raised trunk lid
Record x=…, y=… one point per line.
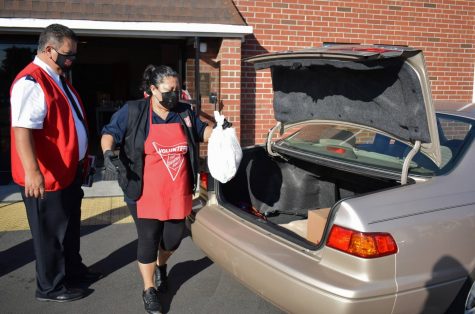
x=444, y=30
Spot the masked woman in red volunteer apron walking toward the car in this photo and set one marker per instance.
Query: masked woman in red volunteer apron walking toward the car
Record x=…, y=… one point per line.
x=165, y=197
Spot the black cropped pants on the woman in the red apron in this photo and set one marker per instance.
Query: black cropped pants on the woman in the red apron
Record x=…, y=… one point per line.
x=153, y=233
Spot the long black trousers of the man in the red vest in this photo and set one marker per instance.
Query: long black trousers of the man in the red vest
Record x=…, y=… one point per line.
x=55, y=224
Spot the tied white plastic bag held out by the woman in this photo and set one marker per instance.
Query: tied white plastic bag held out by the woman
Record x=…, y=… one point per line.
x=224, y=151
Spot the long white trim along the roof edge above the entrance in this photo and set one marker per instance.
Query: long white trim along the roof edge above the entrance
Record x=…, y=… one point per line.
x=127, y=29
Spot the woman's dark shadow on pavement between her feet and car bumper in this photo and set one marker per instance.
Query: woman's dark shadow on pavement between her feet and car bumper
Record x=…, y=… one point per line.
x=178, y=275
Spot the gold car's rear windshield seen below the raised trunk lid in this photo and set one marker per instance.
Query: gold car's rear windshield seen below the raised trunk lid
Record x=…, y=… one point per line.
x=371, y=149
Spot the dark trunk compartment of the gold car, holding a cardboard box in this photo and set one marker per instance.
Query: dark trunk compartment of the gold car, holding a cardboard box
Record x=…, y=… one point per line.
x=291, y=198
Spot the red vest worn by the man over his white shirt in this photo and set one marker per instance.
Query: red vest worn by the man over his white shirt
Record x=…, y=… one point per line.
x=56, y=145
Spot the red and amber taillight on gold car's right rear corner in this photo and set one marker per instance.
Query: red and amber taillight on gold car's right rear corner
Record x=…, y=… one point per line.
x=361, y=244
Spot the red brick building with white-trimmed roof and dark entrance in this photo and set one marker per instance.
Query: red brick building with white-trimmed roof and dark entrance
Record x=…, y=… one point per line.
x=119, y=37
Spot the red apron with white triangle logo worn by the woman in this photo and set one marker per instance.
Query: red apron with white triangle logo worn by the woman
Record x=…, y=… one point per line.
x=166, y=190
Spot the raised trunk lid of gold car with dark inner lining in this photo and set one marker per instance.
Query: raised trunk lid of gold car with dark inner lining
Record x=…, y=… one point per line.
x=383, y=87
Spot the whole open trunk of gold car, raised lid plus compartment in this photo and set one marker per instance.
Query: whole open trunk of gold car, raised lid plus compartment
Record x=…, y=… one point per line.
x=384, y=88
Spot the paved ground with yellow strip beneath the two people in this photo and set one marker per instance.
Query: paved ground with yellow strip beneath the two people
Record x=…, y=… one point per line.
x=108, y=245
